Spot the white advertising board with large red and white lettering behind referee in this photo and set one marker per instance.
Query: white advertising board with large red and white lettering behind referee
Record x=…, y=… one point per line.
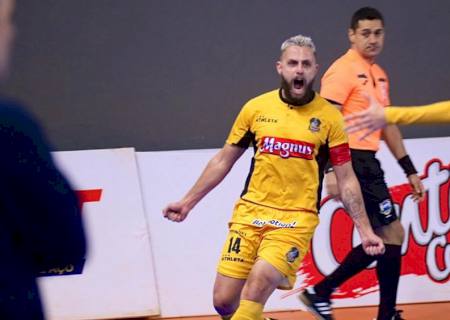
x=186, y=254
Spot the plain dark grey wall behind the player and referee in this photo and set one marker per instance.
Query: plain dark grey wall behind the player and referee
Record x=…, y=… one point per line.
x=173, y=74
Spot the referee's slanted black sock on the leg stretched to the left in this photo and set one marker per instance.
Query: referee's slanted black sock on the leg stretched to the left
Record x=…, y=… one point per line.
x=353, y=263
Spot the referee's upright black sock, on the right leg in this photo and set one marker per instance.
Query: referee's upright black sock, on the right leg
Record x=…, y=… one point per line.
x=388, y=272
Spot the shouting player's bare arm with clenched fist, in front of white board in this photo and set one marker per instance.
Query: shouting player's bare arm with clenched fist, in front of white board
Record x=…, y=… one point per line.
x=214, y=172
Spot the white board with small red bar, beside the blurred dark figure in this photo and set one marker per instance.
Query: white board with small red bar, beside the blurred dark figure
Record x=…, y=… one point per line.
x=117, y=279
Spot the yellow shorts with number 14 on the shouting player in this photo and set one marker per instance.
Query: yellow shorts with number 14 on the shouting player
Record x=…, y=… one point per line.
x=282, y=247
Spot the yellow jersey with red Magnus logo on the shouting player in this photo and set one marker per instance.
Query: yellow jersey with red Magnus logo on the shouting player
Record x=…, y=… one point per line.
x=289, y=142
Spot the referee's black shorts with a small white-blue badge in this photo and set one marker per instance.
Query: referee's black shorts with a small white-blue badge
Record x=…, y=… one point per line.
x=377, y=198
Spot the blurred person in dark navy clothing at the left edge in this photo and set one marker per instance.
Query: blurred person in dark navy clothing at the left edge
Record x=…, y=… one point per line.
x=40, y=221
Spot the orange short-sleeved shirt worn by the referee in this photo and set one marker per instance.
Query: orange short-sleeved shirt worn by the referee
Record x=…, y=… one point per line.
x=348, y=81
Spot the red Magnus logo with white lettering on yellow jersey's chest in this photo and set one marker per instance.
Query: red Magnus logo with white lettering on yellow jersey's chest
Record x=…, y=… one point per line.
x=286, y=148
